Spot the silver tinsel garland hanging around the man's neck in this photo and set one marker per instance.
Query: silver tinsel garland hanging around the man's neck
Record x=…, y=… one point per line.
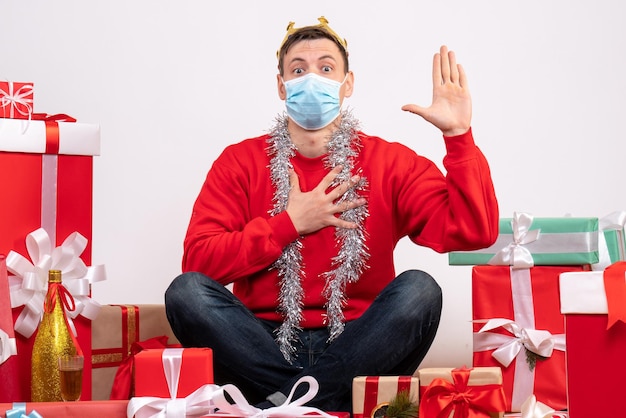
x=351, y=260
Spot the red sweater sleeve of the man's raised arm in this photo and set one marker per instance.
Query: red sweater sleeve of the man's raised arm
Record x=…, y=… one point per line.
x=458, y=211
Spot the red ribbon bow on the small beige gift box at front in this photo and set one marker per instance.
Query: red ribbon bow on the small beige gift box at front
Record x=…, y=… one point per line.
x=441, y=398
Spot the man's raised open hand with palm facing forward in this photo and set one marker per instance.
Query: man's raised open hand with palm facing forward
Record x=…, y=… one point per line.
x=451, y=109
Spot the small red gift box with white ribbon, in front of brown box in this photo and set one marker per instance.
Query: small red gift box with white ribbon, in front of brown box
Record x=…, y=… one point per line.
x=196, y=370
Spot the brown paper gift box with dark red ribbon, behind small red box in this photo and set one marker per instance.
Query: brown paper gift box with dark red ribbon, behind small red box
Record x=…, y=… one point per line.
x=114, y=332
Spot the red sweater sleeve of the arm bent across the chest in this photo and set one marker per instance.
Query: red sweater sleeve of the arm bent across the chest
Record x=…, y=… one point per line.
x=227, y=238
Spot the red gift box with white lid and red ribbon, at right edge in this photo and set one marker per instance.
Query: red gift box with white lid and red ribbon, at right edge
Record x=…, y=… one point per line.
x=593, y=304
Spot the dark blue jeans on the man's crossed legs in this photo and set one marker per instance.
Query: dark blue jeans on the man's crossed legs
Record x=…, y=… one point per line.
x=390, y=338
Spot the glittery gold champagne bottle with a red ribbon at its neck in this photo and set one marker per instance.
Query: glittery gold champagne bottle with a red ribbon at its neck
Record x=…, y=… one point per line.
x=54, y=338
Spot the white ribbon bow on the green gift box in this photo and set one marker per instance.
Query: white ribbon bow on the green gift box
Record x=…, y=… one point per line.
x=515, y=254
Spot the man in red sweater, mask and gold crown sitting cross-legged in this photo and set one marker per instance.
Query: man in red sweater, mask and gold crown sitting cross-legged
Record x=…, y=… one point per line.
x=303, y=222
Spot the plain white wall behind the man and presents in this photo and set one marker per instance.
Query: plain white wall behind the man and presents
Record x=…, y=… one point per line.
x=173, y=82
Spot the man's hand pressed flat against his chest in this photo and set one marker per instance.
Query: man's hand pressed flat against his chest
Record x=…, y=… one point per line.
x=314, y=210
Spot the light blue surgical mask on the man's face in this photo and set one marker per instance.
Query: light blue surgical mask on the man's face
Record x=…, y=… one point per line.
x=313, y=101
